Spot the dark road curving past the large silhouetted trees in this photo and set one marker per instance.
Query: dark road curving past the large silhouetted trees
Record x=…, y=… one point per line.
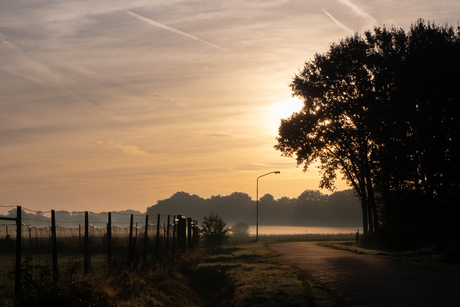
x=366, y=280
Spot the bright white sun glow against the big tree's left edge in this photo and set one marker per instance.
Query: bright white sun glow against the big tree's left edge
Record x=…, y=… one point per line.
x=282, y=109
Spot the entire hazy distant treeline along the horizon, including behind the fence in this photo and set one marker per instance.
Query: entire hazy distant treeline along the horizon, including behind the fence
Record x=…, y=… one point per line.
x=311, y=208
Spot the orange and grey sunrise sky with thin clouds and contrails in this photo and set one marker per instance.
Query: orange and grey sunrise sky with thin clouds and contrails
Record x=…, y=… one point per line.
x=114, y=105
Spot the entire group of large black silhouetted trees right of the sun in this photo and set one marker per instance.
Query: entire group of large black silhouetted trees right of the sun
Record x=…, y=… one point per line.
x=382, y=109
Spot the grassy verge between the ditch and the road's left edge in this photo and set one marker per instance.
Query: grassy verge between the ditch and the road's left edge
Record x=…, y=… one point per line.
x=236, y=276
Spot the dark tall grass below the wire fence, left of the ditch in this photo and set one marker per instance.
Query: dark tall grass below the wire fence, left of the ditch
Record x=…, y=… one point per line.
x=146, y=284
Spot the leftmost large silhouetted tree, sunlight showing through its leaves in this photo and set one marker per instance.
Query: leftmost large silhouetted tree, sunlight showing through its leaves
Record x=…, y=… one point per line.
x=331, y=127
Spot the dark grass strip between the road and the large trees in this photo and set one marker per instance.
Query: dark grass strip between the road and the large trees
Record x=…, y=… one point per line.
x=431, y=257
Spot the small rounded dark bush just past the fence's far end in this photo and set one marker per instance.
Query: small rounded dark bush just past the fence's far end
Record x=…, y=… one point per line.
x=214, y=231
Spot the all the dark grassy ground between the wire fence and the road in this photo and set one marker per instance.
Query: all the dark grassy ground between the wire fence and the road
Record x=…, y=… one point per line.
x=228, y=276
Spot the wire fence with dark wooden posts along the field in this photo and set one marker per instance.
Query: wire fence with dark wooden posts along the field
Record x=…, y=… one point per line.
x=82, y=241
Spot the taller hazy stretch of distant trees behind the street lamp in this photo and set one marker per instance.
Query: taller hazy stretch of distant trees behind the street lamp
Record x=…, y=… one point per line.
x=311, y=208
